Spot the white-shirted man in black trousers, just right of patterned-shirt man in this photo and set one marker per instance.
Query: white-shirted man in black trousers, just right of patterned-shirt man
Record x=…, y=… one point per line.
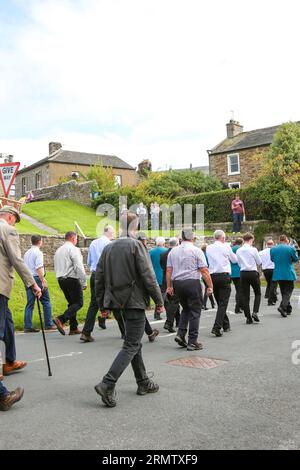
x=219, y=255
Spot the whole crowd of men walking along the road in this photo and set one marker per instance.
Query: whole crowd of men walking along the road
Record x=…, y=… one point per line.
x=124, y=279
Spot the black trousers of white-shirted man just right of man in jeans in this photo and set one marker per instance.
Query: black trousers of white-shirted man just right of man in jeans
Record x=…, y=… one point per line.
x=73, y=293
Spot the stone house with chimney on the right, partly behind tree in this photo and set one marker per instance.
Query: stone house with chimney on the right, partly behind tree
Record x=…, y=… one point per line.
x=237, y=160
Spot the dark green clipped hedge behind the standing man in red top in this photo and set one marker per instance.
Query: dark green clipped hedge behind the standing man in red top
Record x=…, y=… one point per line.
x=217, y=204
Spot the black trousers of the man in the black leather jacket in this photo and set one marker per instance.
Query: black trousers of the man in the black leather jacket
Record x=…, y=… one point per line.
x=131, y=351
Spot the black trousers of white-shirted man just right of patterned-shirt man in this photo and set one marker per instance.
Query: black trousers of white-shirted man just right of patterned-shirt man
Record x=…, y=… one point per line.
x=222, y=291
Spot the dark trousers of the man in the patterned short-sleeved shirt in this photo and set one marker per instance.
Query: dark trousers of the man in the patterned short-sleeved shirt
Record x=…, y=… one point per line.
x=189, y=293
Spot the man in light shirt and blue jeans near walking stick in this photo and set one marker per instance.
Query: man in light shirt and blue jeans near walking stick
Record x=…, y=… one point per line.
x=34, y=260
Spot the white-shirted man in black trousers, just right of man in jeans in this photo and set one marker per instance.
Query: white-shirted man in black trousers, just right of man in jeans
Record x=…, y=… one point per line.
x=70, y=273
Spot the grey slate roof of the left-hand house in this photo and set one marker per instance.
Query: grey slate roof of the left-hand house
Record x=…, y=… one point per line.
x=80, y=158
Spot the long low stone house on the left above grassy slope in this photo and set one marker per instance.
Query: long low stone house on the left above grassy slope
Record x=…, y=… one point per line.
x=62, y=163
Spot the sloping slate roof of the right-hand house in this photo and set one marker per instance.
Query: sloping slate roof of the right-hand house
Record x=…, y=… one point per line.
x=244, y=140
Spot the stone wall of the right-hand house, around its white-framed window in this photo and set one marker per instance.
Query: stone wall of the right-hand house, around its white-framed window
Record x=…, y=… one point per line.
x=250, y=166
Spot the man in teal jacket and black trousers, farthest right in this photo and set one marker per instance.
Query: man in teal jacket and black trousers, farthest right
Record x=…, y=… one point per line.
x=284, y=256
